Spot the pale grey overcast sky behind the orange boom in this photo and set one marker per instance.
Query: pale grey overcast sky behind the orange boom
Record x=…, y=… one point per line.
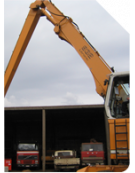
x=51, y=72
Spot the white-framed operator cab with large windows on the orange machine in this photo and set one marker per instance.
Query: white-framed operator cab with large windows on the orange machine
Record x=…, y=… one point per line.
x=118, y=97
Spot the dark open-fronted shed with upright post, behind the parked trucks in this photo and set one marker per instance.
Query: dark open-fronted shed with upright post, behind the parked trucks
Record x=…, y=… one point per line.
x=54, y=128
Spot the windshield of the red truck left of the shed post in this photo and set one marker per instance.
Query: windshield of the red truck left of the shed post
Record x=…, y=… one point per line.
x=27, y=147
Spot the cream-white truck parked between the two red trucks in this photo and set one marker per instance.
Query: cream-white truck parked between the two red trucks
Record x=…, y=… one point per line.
x=66, y=159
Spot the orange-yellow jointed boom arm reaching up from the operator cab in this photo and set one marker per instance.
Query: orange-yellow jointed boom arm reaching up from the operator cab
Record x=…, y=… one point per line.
x=67, y=30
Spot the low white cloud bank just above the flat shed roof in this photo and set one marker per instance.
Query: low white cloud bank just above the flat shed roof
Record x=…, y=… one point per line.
x=67, y=98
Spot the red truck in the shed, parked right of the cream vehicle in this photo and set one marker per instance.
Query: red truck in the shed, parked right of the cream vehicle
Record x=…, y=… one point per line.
x=92, y=153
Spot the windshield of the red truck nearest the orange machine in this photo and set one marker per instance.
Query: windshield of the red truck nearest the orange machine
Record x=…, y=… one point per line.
x=92, y=147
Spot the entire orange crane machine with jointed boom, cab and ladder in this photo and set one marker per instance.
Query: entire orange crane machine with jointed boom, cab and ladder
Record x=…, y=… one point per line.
x=113, y=87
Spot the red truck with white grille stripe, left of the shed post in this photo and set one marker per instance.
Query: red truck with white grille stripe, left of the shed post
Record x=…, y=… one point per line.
x=27, y=155
